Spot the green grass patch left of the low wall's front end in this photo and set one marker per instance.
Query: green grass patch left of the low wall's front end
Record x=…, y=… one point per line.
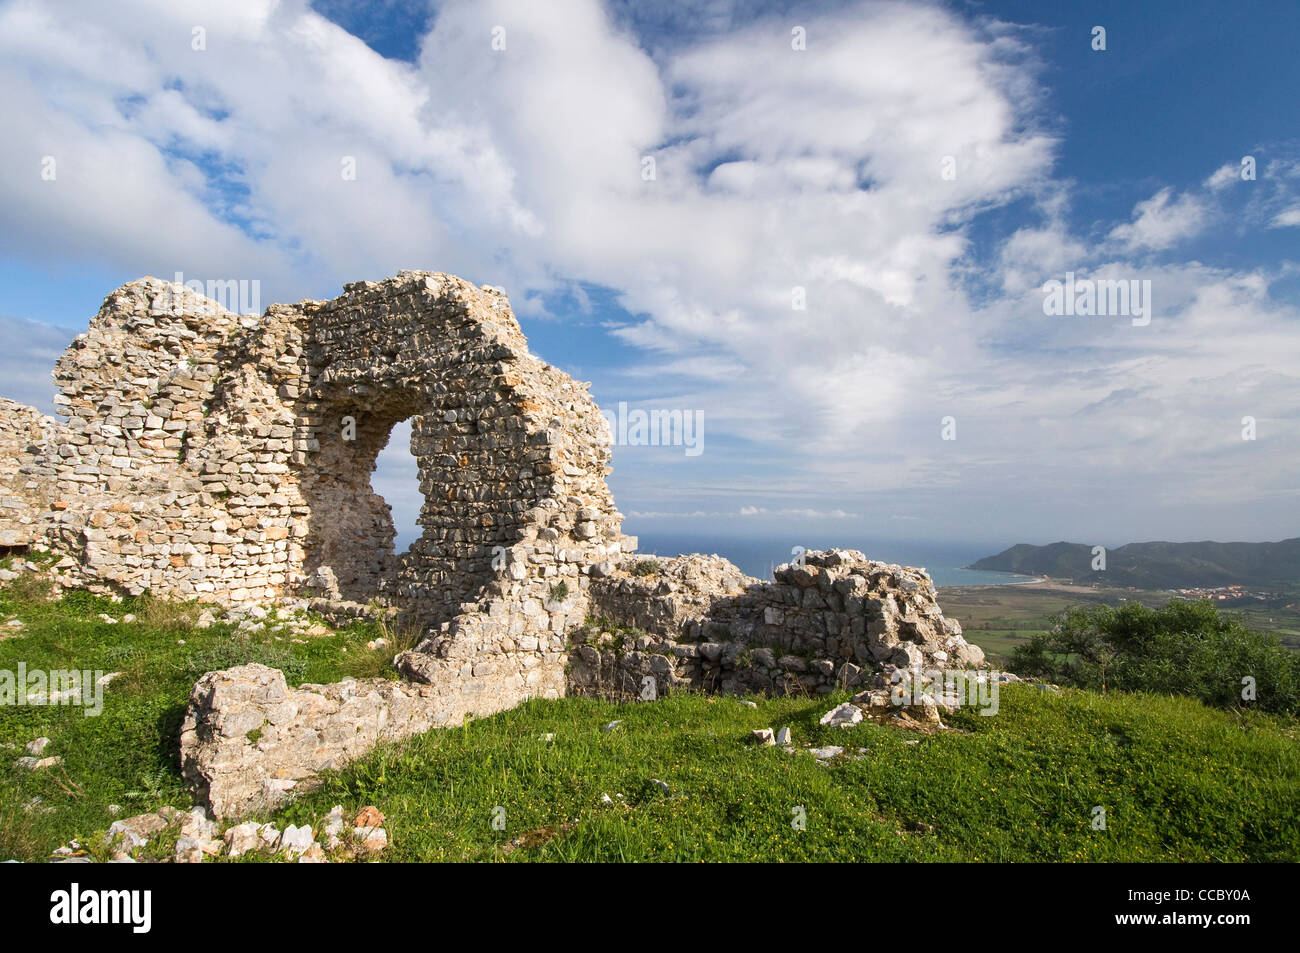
x=128, y=756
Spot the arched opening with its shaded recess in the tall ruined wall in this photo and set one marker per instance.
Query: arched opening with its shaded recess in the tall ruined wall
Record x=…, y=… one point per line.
x=409, y=501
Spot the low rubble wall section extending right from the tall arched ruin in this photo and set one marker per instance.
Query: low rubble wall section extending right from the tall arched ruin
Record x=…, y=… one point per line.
x=839, y=621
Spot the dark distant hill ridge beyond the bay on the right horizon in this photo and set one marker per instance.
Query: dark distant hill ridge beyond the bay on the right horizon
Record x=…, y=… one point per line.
x=1159, y=565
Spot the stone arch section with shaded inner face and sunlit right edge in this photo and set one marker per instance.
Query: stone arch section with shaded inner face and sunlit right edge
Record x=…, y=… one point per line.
x=510, y=450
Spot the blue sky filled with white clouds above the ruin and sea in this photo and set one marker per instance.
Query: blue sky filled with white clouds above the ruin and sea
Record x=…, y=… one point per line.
x=826, y=231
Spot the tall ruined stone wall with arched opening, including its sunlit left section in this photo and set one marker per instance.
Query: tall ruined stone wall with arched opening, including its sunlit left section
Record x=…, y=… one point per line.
x=227, y=436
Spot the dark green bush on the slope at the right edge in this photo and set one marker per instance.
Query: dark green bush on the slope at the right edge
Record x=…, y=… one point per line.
x=1185, y=648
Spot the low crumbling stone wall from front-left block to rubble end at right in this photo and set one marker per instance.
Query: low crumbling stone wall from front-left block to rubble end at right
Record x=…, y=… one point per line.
x=840, y=621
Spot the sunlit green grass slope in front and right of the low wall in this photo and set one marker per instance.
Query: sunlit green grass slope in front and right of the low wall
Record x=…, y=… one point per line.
x=1178, y=782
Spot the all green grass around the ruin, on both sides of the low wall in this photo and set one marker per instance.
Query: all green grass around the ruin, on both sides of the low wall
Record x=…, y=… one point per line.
x=1178, y=782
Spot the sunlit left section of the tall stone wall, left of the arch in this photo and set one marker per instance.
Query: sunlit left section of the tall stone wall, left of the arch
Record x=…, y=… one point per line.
x=135, y=389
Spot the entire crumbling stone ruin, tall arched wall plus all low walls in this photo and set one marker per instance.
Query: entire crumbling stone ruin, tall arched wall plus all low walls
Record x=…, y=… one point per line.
x=226, y=458
